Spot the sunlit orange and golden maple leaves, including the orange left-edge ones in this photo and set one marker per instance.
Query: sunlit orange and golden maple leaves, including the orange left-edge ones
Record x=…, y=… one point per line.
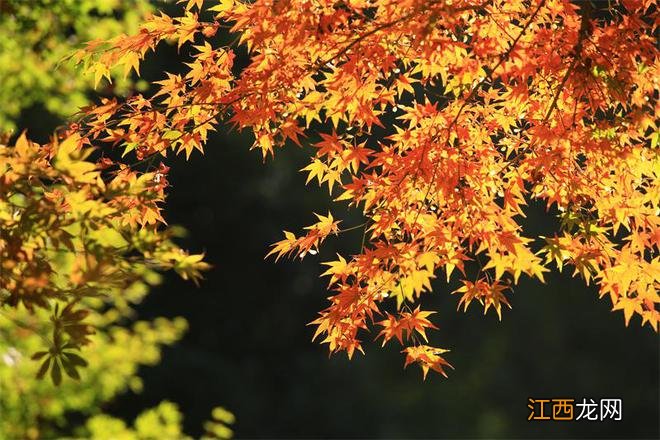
x=439, y=120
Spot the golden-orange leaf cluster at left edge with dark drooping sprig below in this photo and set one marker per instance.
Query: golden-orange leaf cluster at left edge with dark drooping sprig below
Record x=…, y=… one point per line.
x=68, y=237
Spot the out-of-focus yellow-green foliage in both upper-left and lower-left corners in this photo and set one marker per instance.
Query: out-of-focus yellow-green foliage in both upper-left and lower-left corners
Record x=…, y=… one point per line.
x=36, y=36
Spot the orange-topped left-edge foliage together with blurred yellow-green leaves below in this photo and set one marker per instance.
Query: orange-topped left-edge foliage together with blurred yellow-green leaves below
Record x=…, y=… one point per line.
x=75, y=259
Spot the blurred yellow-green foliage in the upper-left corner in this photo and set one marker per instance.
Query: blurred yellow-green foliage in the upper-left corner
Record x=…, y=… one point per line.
x=36, y=35
